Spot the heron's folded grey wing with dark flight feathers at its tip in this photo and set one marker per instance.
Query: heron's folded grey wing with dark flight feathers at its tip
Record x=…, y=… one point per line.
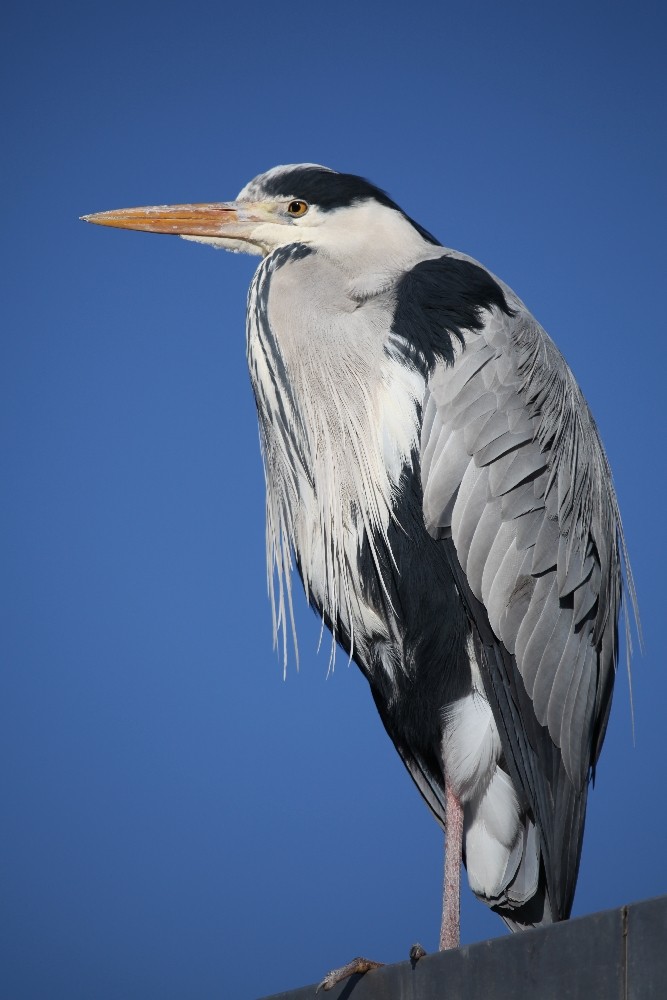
x=517, y=485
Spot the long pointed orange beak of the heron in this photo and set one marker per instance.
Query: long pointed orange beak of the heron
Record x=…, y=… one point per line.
x=218, y=219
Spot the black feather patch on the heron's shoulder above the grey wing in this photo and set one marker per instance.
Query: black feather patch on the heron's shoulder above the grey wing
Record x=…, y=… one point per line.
x=435, y=302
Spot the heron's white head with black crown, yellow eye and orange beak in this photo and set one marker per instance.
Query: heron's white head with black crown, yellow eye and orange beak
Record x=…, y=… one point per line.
x=299, y=203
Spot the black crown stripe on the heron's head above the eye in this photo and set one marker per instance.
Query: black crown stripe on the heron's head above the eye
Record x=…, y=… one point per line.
x=330, y=190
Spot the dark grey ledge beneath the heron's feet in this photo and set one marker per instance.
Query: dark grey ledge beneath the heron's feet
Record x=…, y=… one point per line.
x=615, y=955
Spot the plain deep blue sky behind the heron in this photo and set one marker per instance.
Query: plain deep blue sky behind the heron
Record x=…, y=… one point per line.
x=177, y=819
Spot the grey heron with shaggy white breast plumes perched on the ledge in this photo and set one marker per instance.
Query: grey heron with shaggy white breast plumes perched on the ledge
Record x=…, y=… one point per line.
x=435, y=473
